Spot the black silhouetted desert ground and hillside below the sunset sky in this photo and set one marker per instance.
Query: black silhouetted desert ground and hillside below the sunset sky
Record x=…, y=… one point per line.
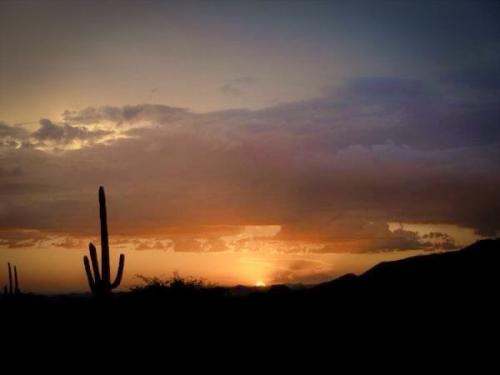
x=420, y=307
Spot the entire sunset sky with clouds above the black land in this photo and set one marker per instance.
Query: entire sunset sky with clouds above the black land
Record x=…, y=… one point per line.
x=245, y=142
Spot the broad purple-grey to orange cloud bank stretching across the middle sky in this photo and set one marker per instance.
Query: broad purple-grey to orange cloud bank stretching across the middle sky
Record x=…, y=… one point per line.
x=331, y=171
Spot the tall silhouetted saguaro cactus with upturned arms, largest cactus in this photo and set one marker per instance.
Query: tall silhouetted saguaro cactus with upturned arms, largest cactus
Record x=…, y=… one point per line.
x=99, y=282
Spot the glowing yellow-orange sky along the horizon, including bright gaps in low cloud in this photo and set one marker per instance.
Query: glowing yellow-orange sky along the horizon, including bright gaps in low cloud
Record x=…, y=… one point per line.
x=45, y=268
